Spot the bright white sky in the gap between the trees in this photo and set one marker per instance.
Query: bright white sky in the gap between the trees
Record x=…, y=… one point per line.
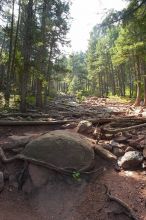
x=85, y=14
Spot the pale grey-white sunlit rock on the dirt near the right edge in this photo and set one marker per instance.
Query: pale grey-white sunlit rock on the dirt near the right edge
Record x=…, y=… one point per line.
x=130, y=160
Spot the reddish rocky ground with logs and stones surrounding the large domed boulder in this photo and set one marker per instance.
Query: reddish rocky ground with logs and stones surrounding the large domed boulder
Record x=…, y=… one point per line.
x=121, y=170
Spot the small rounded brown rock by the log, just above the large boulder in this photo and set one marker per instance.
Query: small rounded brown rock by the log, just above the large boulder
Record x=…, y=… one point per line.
x=84, y=127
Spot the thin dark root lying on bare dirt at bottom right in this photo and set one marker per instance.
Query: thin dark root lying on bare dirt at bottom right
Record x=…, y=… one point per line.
x=128, y=211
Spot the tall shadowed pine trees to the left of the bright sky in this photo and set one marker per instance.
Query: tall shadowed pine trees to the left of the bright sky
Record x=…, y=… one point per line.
x=30, y=42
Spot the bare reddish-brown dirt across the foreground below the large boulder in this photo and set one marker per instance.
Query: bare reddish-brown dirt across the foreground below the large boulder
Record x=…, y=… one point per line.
x=63, y=199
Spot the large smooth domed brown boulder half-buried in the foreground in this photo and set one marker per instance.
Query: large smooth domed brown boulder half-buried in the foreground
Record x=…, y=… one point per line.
x=61, y=149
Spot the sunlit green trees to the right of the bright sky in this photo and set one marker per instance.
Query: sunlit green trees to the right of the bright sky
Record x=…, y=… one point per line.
x=116, y=51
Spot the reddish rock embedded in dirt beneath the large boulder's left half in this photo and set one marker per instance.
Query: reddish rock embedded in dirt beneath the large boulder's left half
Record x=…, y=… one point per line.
x=39, y=175
